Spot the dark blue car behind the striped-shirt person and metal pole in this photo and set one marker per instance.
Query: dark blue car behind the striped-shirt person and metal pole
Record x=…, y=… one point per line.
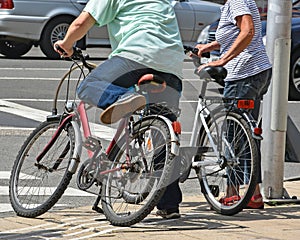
x=208, y=35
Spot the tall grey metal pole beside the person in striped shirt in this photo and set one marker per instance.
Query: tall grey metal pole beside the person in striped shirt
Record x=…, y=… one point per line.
x=276, y=100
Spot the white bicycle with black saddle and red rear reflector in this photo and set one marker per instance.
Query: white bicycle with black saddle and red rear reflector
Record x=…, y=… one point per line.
x=223, y=148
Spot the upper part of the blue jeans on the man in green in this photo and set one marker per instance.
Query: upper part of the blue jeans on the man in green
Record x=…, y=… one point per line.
x=116, y=76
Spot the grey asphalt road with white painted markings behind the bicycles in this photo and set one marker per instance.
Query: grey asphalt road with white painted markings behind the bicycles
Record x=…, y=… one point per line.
x=27, y=89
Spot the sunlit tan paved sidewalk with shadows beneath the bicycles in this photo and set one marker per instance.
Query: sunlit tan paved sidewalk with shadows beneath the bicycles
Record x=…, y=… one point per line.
x=197, y=222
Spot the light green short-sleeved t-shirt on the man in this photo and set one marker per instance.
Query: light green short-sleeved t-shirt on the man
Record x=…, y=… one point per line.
x=145, y=31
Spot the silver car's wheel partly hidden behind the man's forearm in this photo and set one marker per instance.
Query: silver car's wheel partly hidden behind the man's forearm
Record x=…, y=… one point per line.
x=55, y=30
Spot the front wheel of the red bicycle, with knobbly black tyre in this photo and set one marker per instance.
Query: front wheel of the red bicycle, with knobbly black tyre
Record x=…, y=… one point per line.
x=35, y=186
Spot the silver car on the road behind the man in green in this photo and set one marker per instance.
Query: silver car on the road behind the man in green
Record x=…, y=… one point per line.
x=27, y=23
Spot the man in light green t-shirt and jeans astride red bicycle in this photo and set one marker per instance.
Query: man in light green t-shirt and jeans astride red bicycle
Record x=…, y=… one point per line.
x=145, y=38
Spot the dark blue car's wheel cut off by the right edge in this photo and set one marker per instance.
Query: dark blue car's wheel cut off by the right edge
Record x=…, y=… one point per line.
x=294, y=83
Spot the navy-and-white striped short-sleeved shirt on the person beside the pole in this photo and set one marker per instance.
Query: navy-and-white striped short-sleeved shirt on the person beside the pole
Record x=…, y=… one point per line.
x=251, y=60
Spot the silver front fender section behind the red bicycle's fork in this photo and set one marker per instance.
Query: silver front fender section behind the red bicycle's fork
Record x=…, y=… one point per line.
x=77, y=149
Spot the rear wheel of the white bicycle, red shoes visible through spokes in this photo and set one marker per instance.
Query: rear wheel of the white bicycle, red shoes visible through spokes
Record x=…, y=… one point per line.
x=227, y=176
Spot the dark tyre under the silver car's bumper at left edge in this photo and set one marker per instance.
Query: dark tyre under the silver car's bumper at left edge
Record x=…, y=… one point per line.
x=14, y=49
